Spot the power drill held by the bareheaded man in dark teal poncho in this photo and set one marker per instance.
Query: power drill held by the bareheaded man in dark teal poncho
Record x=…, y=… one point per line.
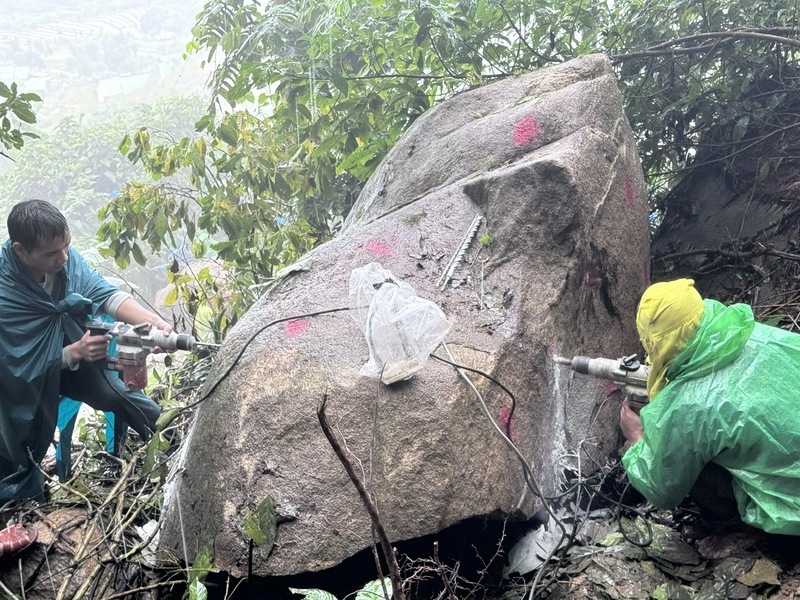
x=134, y=343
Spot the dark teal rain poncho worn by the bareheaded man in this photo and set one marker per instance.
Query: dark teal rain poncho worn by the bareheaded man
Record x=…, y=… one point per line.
x=34, y=328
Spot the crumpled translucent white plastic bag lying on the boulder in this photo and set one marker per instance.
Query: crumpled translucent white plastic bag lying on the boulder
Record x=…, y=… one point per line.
x=401, y=328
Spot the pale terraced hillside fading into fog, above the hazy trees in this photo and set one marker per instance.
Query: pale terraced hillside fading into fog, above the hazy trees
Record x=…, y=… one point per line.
x=87, y=56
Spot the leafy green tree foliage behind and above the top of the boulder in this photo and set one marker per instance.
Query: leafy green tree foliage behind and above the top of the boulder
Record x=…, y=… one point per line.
x=310, y=96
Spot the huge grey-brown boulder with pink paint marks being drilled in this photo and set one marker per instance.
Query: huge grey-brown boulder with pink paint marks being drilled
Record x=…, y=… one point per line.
x=549, y=163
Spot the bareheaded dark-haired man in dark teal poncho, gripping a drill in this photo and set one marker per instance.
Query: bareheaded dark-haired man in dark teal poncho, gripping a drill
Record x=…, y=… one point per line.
x=47, y=294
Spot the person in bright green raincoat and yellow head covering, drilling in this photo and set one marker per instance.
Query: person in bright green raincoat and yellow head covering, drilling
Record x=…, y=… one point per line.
x=724, y=394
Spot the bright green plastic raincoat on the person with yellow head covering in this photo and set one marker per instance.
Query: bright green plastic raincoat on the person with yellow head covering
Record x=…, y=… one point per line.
x=732, y=398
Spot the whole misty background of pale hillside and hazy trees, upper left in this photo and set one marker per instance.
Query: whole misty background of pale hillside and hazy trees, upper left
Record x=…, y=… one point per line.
x=103, y=69
